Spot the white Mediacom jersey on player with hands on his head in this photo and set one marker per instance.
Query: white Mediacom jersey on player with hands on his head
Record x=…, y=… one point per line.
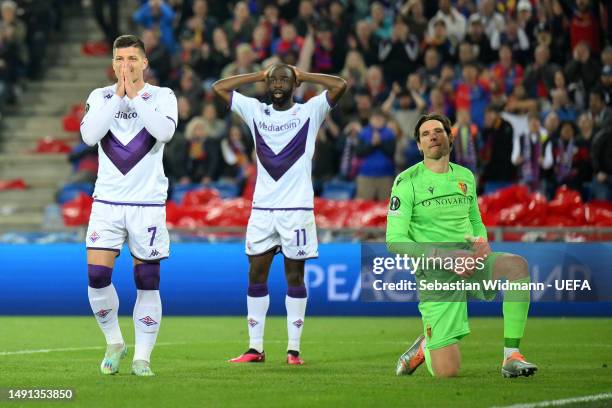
x=284, y=143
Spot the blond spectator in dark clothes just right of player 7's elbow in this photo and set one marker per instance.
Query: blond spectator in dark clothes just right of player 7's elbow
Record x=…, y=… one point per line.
x=203, y=155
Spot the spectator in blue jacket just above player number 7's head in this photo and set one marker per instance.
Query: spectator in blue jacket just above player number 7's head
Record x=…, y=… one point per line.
x=156, y=14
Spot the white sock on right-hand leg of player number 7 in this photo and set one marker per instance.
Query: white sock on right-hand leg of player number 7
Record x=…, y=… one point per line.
x=147, y=318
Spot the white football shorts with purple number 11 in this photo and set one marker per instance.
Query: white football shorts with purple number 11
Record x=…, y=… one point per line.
x=291, y=231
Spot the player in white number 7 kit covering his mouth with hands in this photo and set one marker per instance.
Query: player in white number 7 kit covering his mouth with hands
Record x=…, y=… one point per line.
x=130, y=121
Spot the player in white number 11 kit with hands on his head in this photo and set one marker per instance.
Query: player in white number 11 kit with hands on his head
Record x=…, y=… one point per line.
x=282, y=218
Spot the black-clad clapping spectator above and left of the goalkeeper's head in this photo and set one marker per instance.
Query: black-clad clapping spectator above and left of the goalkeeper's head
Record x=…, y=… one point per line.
x=398, y=55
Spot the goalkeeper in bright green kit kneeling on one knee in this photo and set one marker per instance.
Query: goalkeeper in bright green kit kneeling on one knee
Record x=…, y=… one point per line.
x=435, y=201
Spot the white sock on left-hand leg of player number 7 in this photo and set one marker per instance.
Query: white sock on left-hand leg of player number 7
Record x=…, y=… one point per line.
x=105, y=306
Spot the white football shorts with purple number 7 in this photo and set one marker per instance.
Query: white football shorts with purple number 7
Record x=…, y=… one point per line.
x=142, y=225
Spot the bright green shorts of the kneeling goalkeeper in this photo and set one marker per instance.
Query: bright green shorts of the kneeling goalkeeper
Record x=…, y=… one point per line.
x=446, y=322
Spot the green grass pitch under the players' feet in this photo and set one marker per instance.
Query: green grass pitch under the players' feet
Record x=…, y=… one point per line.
x=350, y=362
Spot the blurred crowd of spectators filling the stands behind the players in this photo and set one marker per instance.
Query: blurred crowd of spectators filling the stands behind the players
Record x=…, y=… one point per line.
x=527, y=84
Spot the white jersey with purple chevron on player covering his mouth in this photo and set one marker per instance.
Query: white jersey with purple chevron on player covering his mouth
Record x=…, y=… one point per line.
x=130, y=158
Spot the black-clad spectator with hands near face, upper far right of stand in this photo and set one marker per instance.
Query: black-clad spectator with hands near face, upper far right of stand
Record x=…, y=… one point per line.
x=580, y=73
